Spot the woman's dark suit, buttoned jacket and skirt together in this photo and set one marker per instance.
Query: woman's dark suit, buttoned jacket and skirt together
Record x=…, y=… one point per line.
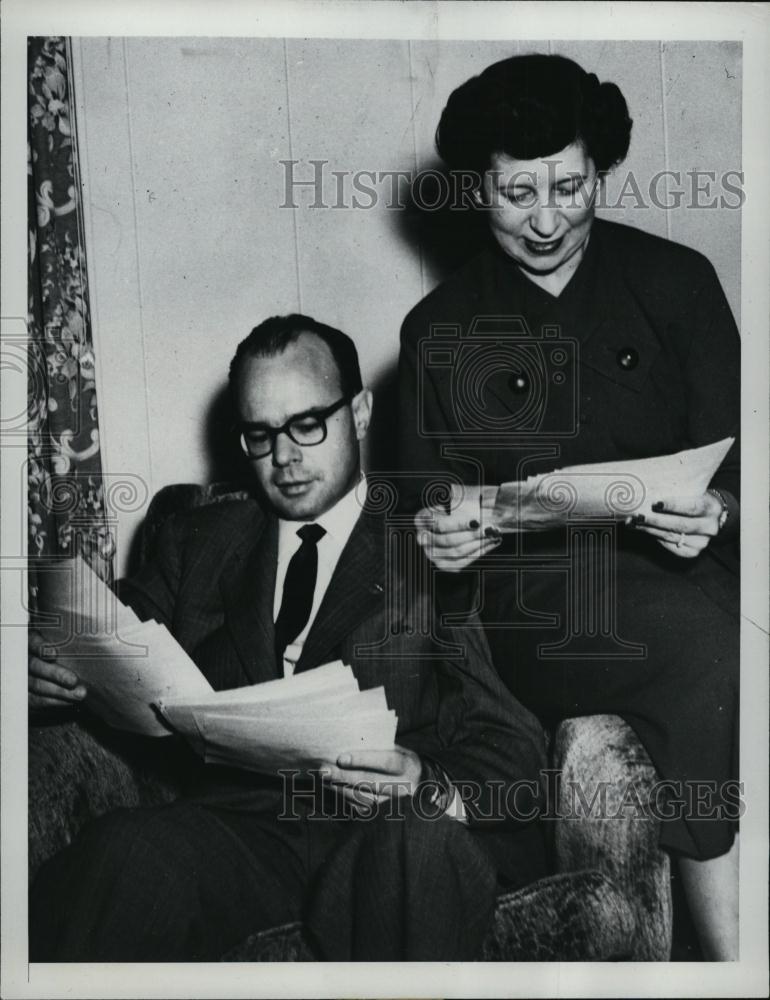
x=639, y=356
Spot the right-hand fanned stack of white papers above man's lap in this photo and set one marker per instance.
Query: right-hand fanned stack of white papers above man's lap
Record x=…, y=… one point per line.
x=299, y=721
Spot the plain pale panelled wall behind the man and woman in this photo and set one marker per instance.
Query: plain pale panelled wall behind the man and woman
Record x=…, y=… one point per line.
x=180, y=143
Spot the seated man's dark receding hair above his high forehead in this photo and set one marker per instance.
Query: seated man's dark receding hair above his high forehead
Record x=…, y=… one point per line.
x=274, y=335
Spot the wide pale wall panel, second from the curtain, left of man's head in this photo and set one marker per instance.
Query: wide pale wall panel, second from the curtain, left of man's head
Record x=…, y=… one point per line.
x=209, y=123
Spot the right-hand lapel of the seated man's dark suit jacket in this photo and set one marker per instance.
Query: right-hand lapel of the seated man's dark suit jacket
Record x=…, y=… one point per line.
x=356, y=589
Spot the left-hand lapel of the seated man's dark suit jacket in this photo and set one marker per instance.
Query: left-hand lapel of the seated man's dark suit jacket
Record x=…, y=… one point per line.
x=248, y=594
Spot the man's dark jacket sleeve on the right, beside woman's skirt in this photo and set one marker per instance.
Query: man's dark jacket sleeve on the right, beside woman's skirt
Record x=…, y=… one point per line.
x=491, y=747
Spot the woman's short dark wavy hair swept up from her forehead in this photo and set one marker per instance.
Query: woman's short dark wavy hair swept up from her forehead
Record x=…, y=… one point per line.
x=532, y=106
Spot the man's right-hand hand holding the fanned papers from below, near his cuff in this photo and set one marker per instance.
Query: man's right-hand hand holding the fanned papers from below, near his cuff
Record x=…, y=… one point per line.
x=365, y=777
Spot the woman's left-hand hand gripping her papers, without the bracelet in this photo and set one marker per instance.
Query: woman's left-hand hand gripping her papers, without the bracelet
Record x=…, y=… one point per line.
x=453, y=541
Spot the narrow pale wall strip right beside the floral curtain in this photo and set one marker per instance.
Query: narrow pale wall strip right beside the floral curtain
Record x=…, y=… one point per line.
x=113, y=267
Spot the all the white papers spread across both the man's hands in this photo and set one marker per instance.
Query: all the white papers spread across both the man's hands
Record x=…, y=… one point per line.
x=139, y=679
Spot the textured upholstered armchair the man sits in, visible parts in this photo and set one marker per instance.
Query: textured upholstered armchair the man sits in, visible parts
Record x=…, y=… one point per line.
x=608, y=899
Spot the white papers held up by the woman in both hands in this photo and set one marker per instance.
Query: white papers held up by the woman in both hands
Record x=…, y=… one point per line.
x=606, y=489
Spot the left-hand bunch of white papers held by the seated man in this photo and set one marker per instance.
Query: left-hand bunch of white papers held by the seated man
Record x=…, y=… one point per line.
x=127, y=665
